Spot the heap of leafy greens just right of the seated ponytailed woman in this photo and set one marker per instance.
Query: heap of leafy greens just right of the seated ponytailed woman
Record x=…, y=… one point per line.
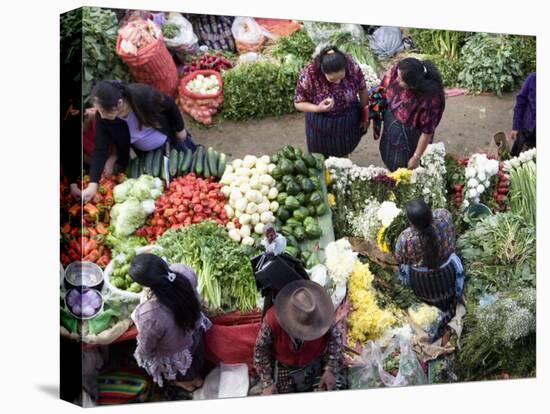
x=498, y=253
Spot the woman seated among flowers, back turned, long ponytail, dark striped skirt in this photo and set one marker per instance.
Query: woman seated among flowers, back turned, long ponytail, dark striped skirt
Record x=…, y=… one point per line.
x=428, y=262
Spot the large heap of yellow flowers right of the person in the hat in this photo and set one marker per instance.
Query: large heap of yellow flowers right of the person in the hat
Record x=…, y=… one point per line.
x=366, y=320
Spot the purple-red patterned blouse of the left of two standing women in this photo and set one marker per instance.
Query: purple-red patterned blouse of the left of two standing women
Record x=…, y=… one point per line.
x=313, y=87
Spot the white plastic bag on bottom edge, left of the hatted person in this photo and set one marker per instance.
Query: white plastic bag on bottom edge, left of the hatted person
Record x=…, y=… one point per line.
x=224, y=381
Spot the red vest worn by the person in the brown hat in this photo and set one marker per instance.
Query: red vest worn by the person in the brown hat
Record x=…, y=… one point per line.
x=283, y=350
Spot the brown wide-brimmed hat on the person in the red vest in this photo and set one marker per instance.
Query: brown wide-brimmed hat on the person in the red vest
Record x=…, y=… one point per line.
x=304, y=310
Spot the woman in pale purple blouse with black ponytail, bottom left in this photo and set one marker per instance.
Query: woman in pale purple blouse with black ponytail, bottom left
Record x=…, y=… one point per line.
x=171, y=326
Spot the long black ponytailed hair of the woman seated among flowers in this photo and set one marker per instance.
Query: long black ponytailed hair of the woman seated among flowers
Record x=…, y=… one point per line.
x=420, y=216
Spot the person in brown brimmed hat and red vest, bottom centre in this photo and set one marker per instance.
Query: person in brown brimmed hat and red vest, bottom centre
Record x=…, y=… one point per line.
x=298, y=348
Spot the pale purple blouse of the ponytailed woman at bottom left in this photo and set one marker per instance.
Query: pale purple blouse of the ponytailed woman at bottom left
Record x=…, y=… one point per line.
x=164, y=348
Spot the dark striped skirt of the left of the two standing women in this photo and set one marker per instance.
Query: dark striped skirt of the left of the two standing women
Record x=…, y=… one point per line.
x=333, y=136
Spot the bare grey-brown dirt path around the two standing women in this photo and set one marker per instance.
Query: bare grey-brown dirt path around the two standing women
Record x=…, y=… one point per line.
x=468, y=125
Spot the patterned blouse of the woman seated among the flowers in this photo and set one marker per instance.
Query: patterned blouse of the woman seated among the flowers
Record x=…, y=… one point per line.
x=408, y=249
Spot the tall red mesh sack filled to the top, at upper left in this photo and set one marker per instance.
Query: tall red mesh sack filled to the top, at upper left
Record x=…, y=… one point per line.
x=140, y=45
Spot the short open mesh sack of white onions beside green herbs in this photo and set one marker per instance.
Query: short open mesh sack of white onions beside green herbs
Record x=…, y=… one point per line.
x=200, y=105
